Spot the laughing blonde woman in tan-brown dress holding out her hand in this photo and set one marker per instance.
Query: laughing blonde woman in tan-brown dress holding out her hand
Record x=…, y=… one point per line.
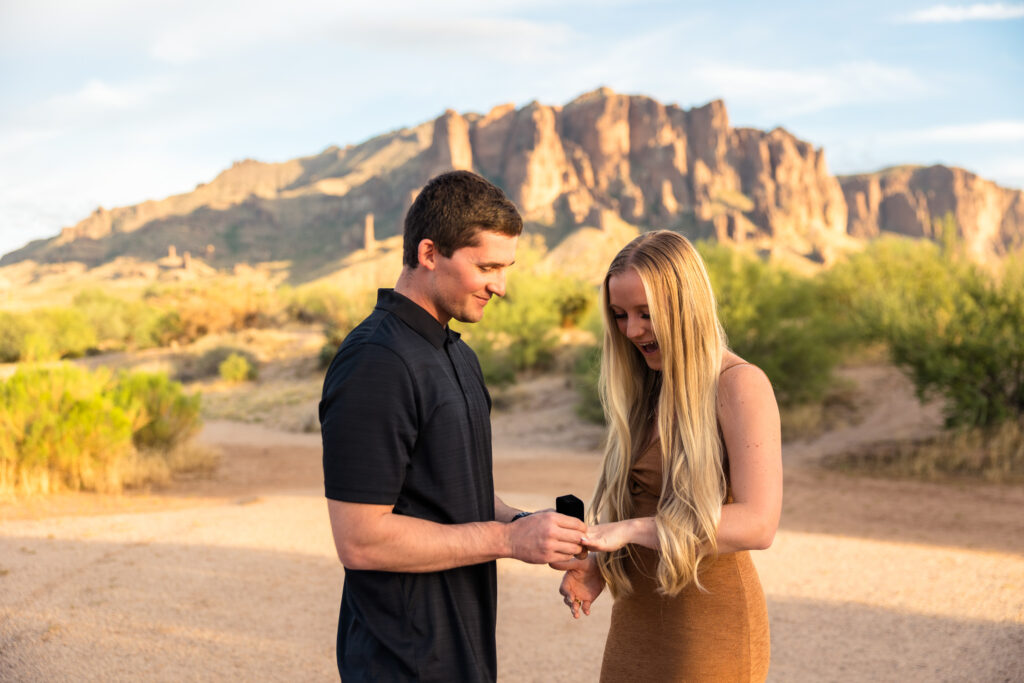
x=692, y=481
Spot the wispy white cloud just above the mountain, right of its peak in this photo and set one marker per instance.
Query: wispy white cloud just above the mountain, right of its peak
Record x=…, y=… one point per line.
x=793, y=92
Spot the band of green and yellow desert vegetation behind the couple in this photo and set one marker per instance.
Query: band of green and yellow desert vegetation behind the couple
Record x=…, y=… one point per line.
x=952, y=326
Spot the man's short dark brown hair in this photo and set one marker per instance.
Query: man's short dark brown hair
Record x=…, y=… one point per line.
x=452, y=209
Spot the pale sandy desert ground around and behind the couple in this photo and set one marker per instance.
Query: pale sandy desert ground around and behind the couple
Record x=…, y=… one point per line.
x=235, y=578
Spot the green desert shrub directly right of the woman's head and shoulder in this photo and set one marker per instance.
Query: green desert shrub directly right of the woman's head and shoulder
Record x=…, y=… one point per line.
x=778, y=321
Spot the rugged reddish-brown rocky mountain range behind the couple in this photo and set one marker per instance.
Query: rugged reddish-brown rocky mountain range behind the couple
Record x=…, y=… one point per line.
x=599, y=161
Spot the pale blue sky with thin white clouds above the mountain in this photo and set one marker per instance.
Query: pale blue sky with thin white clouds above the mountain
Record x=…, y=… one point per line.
x=111, y=103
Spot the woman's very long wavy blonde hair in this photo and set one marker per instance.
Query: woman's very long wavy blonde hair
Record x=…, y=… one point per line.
x=682, y=396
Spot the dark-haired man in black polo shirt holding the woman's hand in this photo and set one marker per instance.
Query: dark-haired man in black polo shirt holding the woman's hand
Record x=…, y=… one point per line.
x=407, y=455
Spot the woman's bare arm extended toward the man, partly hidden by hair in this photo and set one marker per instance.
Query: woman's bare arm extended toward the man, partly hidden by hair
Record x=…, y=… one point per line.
x=749, y=417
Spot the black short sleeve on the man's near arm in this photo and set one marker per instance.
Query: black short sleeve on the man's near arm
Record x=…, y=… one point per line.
x=369, y=425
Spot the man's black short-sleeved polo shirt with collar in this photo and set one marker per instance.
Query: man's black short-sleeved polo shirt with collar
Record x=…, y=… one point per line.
x=405, y=417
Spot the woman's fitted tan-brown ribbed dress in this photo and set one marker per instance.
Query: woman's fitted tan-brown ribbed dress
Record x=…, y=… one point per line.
x=721, y=635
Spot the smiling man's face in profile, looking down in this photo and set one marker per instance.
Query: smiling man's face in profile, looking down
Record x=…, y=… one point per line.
x=464, y=283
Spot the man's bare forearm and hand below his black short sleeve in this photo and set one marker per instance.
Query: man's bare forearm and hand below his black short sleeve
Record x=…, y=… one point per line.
x=372, y=537
